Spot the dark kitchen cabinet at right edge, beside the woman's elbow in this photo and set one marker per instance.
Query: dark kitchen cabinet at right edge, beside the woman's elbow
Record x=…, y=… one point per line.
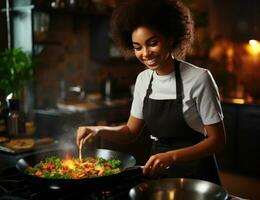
x=242, y=150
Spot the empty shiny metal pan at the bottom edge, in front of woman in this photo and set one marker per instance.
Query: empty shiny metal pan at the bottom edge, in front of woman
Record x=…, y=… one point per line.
x=178, y=189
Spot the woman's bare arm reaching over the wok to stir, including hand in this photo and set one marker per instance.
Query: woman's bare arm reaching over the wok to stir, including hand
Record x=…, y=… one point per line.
x=122, y=133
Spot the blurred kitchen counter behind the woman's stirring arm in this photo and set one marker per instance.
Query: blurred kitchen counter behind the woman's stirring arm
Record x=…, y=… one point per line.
x=70, y=115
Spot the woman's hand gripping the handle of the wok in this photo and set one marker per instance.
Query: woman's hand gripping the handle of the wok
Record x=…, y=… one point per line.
x=157, y=163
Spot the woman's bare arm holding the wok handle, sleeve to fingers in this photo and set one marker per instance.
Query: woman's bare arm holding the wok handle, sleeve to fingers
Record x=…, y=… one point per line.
x=213, y=143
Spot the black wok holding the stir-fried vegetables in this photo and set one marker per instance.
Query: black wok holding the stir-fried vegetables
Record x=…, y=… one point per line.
x=127, y=167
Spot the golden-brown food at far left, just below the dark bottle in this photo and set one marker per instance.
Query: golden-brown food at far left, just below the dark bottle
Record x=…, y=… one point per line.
x=23, y=143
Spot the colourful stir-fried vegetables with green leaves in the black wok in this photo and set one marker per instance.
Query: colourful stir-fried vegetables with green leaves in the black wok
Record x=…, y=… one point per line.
x=55, y=168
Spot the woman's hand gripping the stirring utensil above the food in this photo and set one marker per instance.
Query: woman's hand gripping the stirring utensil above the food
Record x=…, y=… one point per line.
x=84, y=131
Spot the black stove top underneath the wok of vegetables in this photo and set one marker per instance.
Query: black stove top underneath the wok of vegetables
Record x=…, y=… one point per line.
x=13, y=186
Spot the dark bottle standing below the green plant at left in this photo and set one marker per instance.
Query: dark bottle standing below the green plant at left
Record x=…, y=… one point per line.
x=15, y=120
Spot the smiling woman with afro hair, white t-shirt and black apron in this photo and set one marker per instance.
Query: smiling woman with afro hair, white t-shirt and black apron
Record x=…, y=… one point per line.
x=177, y=101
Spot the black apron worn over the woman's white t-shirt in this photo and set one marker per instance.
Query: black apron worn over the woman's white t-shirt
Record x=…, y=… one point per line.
x=165, y=121
